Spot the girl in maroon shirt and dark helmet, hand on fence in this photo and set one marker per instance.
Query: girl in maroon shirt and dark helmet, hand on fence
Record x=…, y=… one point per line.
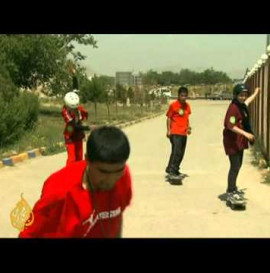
x=237, y=134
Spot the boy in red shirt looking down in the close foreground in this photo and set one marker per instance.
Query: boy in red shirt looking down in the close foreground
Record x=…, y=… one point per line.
x=87, y=199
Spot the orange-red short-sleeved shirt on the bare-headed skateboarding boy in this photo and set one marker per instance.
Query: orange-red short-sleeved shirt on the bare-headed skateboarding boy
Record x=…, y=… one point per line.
x=179, y=115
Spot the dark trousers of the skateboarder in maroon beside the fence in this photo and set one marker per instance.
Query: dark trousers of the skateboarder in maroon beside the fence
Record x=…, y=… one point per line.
x=236, y=161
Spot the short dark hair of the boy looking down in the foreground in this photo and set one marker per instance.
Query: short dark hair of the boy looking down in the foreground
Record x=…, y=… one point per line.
x=108, y=144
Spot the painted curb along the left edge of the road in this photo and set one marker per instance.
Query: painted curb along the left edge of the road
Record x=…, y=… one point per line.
x=11, y=161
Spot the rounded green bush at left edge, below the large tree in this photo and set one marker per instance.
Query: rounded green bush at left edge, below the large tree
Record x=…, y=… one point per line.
x=18, y=115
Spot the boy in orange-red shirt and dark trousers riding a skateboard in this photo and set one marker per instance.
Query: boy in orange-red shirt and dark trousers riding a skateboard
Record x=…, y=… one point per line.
x=178, y=128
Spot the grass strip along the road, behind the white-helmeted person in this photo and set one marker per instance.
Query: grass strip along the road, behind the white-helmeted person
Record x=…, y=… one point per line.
x=49, y=130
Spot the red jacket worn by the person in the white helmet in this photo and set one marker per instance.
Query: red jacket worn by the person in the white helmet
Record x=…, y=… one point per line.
x=78, y=115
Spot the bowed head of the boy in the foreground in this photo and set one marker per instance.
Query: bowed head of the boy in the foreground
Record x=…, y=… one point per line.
x=108, y=150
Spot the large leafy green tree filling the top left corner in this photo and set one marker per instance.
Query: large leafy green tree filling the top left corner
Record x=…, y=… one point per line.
x=32, y=60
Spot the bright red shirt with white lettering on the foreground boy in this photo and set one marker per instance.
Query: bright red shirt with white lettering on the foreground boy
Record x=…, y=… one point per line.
x=66, y=209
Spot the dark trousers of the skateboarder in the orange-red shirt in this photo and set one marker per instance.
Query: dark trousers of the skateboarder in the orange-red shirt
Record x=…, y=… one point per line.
x=178, y=150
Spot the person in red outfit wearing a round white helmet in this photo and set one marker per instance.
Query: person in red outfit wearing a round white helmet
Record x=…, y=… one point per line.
x=73, y=115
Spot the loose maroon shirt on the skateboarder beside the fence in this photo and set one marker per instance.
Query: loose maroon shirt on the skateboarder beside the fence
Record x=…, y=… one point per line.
x=233, y=142
